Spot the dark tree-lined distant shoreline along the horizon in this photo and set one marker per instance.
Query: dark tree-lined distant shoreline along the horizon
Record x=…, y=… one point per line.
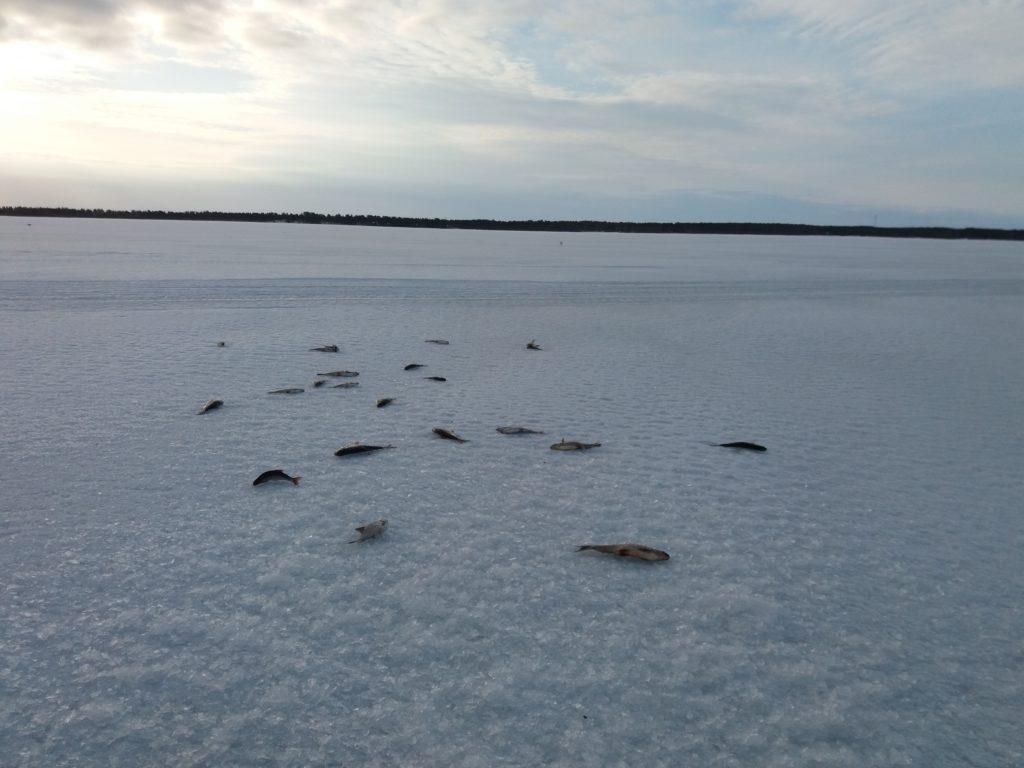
x=308, y=218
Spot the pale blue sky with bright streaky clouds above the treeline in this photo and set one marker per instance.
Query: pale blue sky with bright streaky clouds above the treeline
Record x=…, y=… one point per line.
x=846, y=112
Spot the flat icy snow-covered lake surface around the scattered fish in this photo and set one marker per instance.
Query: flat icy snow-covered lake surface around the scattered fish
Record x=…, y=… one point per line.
x=850, y=598
